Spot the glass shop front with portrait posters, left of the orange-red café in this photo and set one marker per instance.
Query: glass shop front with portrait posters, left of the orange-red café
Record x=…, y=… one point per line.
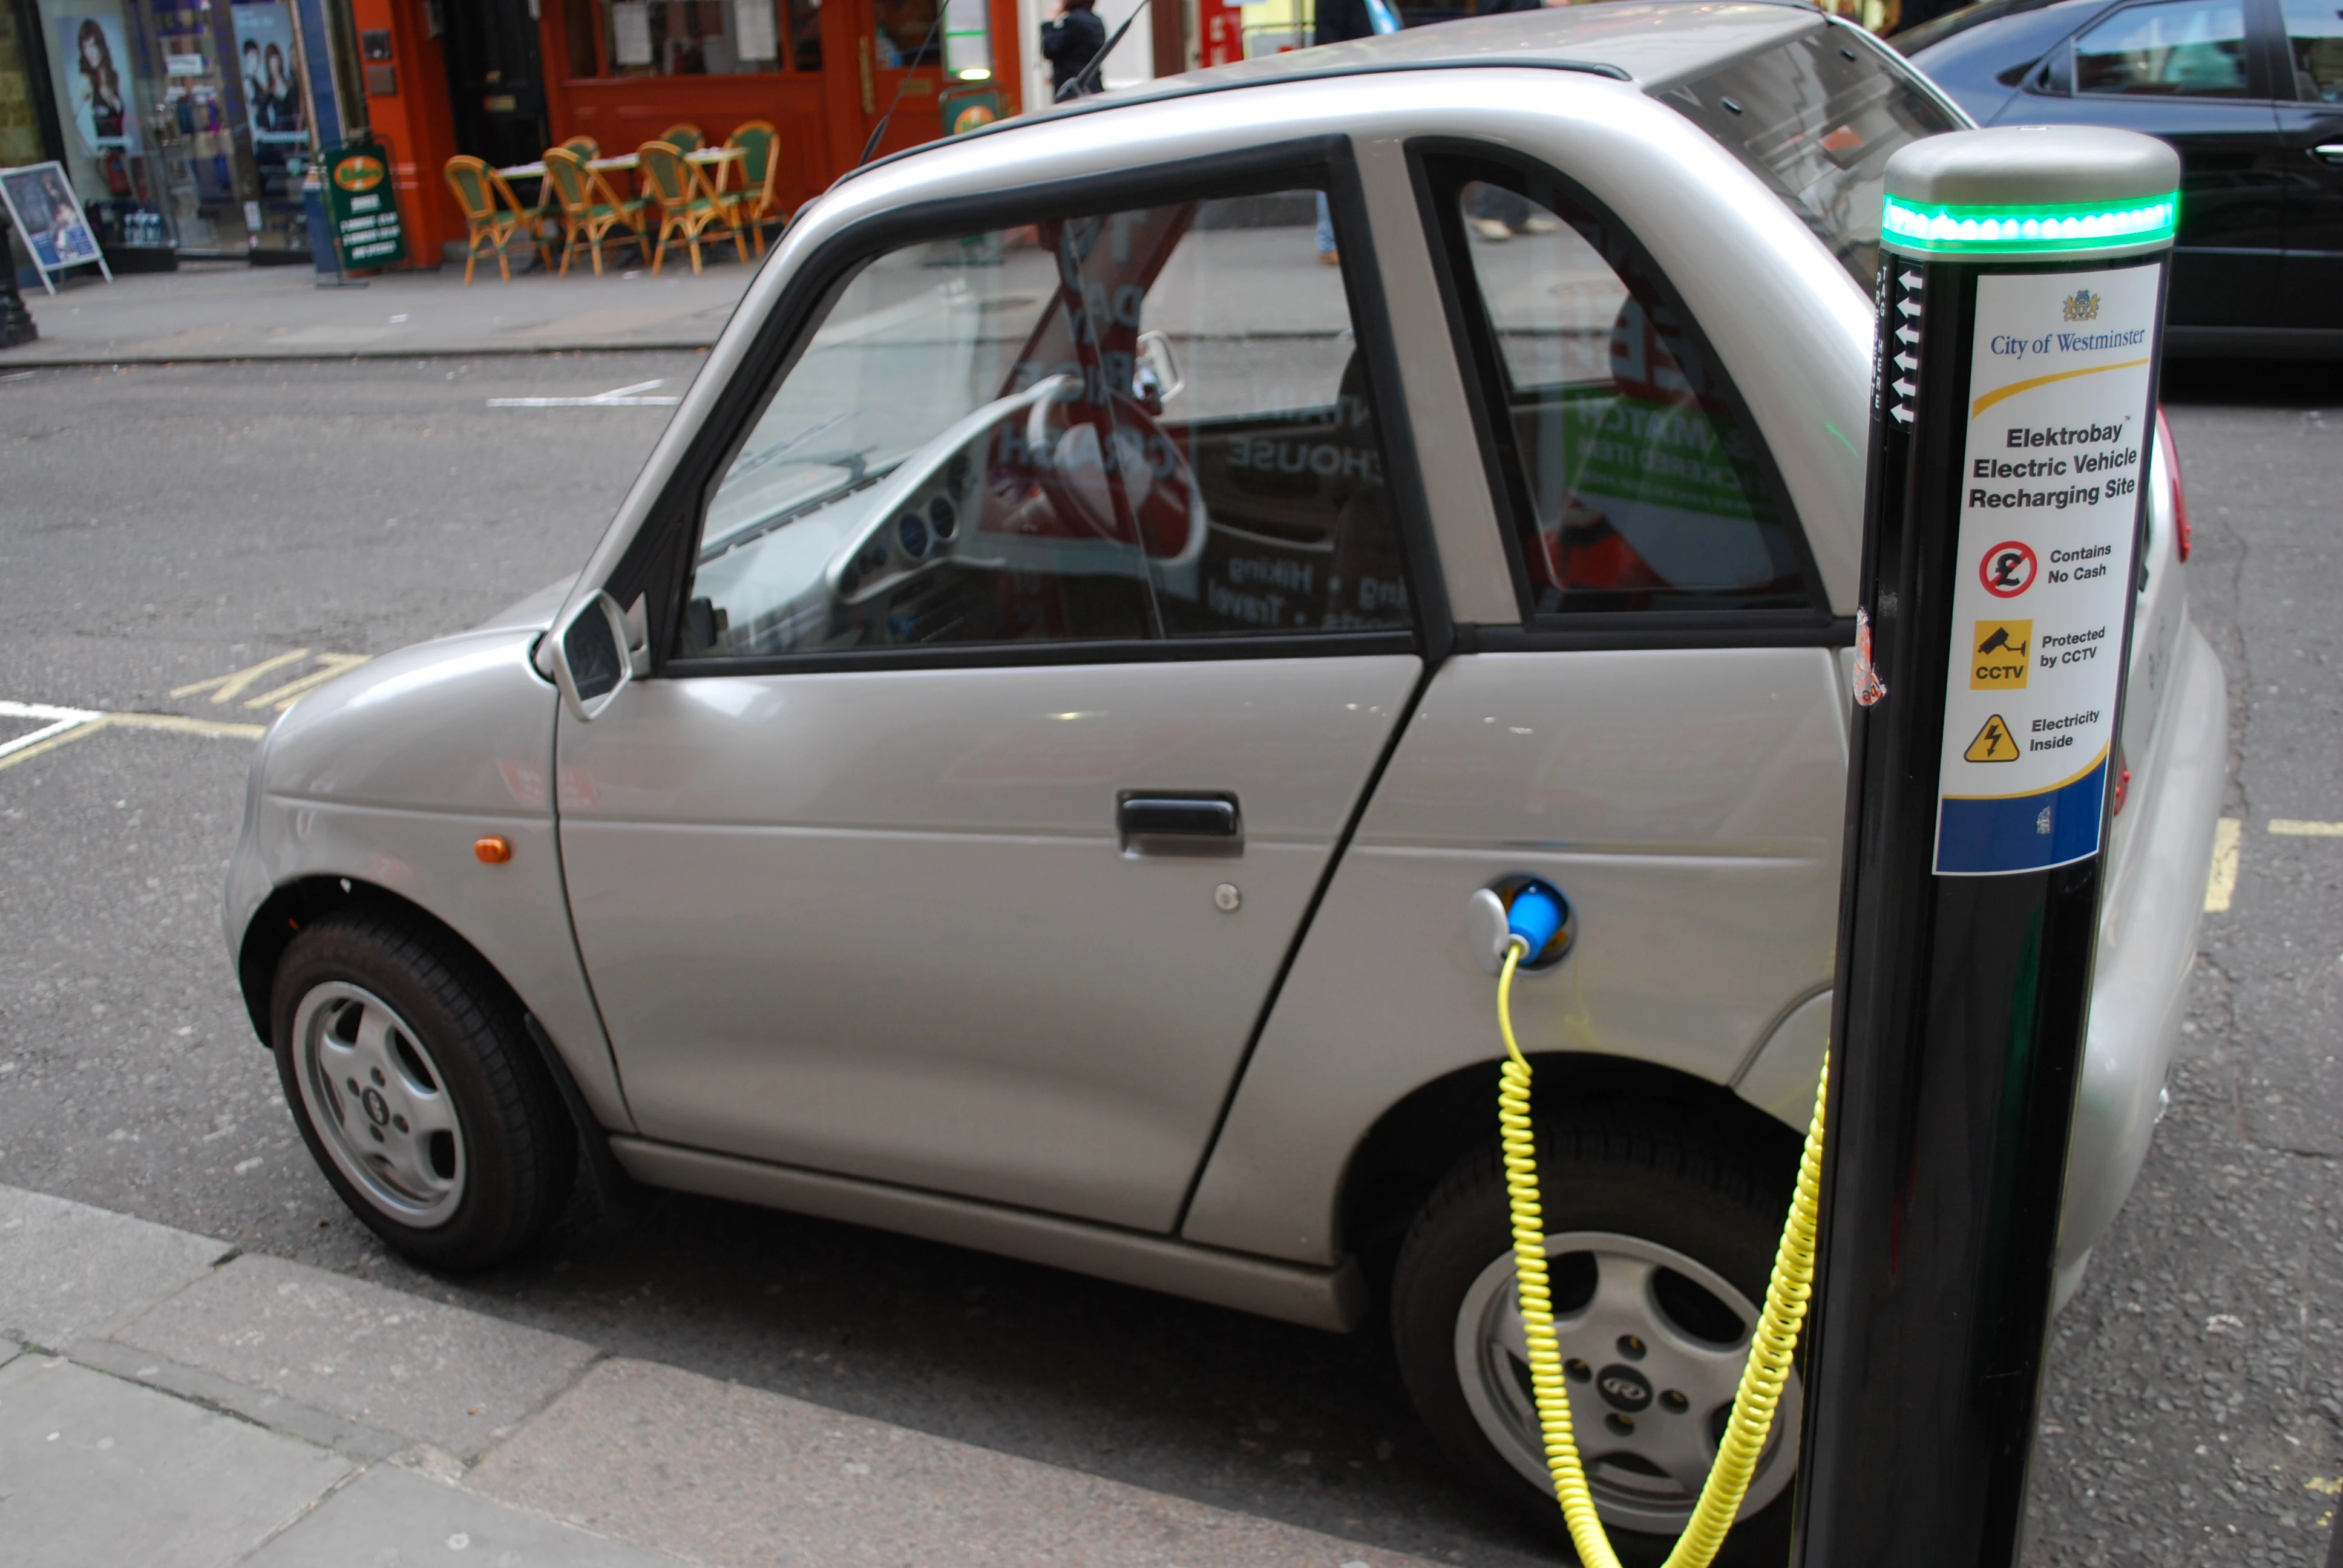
x=184, y=125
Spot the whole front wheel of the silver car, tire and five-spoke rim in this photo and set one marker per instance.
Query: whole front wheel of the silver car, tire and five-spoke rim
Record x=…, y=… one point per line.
x=418, y=1089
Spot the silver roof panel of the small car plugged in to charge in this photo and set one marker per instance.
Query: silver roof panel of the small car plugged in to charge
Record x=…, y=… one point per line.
x=1648, y=43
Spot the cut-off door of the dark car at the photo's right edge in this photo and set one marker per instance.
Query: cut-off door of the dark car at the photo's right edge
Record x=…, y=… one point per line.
x=2311, y=149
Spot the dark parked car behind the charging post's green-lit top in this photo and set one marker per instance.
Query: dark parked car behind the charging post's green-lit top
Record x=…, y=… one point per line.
x=2250, y=93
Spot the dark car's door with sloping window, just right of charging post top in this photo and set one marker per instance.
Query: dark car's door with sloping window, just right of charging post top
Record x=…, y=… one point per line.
x=2187, y=74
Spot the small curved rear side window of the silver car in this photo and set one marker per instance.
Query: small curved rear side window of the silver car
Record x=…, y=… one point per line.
x=1634, y=484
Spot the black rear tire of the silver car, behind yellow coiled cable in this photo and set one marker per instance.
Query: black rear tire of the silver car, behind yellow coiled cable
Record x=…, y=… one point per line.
x=1660, y=1175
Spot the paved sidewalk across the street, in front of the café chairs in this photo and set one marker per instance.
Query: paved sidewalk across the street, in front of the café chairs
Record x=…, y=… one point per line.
x=231, y=311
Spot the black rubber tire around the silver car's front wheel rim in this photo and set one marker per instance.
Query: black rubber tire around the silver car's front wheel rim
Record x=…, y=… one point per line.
x=517, y=1140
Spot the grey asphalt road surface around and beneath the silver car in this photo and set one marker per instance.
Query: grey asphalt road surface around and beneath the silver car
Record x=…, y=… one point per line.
x=170, y=526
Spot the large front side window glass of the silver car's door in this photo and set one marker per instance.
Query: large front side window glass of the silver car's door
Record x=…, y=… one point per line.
x=1133, y=425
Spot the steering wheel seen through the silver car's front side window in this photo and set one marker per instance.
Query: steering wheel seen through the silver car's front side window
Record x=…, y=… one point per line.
x=1156, y=477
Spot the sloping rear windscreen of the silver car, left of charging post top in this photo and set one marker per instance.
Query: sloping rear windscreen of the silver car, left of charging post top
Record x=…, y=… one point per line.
x=1817, y=121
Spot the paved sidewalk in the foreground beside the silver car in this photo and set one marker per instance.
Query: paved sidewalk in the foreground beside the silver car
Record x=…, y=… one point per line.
x=168, y=1403
